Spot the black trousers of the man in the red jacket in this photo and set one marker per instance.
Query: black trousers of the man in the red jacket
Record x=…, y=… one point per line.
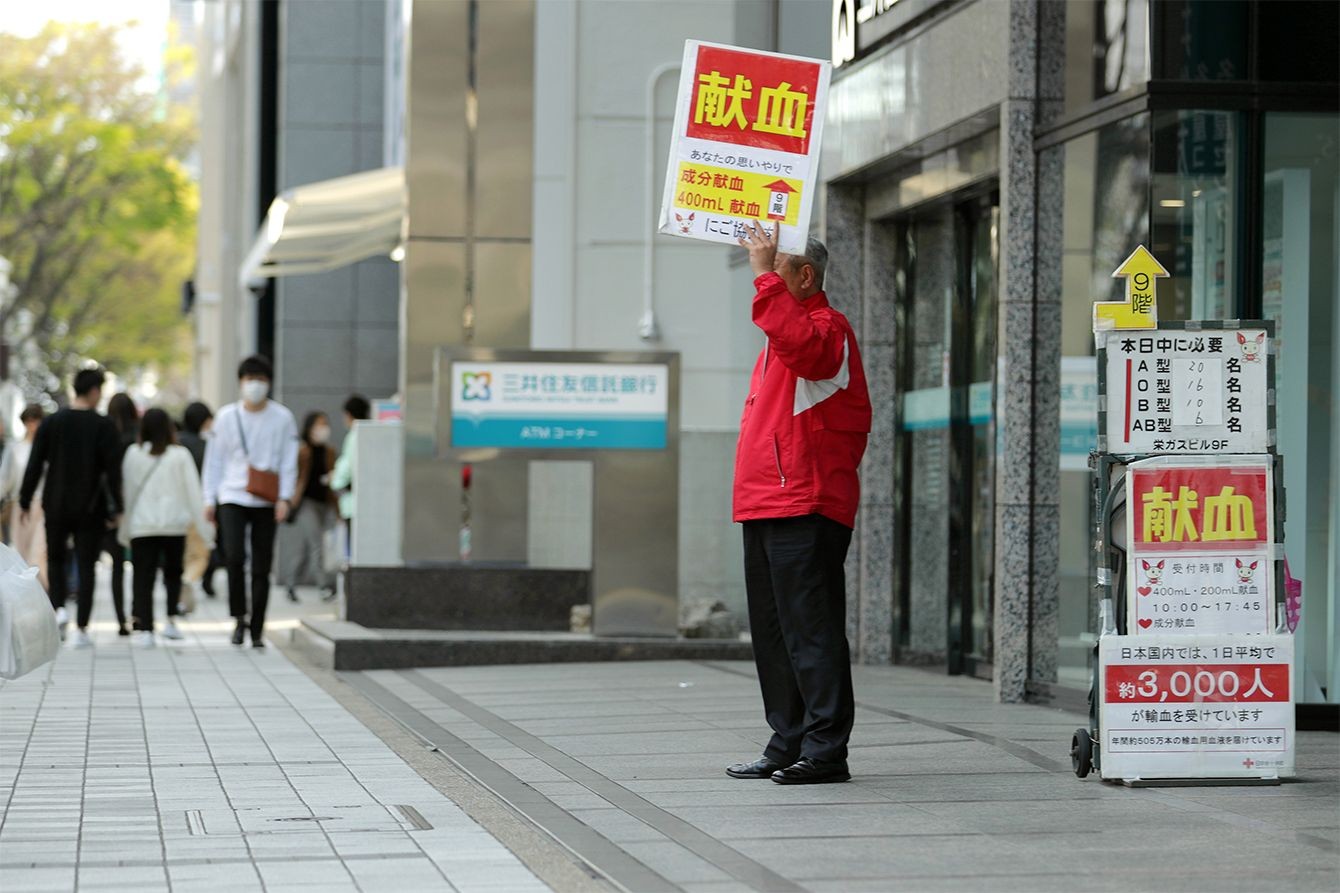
x=798, y=617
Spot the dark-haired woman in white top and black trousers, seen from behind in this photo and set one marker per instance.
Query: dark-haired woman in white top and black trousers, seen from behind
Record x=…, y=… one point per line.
x=163, y=502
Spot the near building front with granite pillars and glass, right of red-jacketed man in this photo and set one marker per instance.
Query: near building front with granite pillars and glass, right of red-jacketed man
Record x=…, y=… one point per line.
x=990, y=166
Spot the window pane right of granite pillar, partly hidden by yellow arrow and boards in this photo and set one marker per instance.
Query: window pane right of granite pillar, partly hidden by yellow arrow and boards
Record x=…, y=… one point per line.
x=1095, y=198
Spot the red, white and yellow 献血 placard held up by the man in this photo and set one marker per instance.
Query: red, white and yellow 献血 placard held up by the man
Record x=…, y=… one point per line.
x=746, y=144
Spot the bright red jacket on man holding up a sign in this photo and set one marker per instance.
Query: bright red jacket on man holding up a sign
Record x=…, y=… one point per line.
x=807, y=416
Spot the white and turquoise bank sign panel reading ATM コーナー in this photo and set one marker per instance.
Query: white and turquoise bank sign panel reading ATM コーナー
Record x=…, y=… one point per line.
x=531, y=406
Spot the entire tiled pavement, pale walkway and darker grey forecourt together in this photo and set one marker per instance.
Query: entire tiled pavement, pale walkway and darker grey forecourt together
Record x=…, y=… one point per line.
x=200, y=766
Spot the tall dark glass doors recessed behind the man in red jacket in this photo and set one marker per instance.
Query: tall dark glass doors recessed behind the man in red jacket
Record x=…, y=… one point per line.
x=945, y=474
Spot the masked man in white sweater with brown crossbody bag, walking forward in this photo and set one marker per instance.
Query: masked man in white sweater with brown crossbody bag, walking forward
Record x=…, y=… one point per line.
x=251, y=470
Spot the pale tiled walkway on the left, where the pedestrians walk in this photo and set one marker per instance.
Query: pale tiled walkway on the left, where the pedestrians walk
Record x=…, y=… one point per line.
x=199, y=766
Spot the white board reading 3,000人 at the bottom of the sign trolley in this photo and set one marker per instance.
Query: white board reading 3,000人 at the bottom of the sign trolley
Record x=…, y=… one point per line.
x=1197, y=707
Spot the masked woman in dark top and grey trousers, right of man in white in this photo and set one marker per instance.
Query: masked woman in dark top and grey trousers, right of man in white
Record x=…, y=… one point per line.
x=304, y=544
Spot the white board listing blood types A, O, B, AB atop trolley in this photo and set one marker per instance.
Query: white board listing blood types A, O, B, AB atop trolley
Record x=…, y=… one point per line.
x=1188, y=392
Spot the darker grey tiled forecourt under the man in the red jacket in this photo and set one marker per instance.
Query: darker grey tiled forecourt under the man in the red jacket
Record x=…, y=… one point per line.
x=624, y=762
